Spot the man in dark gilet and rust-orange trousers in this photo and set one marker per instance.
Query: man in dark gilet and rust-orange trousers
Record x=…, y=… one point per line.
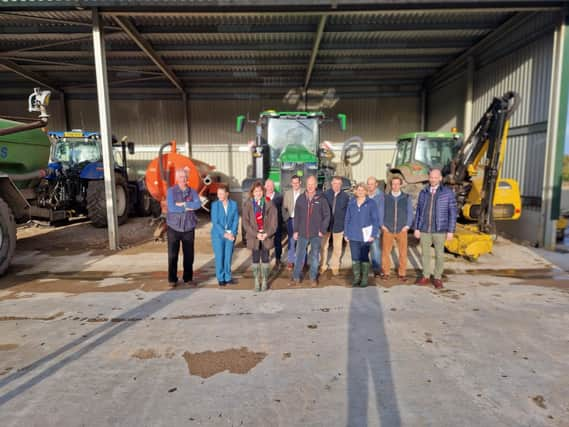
x=397, y=220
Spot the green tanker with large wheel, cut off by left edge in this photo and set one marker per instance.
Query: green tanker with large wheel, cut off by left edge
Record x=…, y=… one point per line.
x=24, y=152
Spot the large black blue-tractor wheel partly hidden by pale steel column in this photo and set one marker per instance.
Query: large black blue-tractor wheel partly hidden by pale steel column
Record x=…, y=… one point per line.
x=96, y=201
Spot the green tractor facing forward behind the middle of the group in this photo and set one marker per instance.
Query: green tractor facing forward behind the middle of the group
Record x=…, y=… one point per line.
x=288, y=143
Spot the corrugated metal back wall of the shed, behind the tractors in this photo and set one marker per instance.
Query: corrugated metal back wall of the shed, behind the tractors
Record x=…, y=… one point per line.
x=150, y=123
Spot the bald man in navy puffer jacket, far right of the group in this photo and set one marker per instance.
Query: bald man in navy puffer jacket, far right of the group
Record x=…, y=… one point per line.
x=435, y=222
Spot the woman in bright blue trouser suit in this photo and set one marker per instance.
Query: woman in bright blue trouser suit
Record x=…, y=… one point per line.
x=224, y=221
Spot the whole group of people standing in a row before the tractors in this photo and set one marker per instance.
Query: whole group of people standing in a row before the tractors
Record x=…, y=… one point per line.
x=317, y=225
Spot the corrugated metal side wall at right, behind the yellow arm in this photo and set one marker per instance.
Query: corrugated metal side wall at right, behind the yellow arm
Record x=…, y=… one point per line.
x=520, y=61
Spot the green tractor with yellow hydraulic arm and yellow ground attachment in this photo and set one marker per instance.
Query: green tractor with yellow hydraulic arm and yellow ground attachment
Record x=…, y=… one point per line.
x=472, y=169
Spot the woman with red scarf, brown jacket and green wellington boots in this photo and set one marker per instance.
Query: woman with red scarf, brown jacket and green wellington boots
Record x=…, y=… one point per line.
x=260, y=225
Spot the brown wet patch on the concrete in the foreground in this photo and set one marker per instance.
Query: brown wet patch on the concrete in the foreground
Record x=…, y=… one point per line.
x=236, y=361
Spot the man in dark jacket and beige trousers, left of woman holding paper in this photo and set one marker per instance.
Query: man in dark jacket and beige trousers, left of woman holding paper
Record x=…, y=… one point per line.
x=338, y=202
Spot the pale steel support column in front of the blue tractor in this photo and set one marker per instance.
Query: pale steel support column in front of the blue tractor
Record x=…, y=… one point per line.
x=105, y=128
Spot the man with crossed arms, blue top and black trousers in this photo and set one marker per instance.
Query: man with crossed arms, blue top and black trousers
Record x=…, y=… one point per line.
x=181, y=219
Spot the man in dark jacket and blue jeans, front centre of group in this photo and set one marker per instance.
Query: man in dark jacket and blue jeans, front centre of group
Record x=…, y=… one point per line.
x=311, y=219
